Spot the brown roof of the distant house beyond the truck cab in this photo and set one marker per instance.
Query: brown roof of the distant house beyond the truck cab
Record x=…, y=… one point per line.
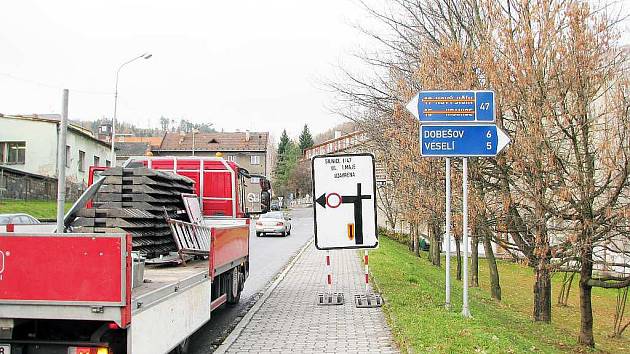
x=218, y=141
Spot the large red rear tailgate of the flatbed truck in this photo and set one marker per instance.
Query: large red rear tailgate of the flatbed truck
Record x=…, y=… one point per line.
x=61, y=268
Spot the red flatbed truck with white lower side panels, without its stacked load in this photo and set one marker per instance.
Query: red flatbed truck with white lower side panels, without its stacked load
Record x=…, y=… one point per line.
x=74, y=293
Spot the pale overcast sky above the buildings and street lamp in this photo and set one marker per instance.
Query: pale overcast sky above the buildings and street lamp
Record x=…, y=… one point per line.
x=254, y=65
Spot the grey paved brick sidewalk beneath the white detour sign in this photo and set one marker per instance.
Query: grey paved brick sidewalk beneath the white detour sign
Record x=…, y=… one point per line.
x=291, y=321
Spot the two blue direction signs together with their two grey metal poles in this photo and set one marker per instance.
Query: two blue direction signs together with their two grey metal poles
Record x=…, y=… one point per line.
x=457, y=124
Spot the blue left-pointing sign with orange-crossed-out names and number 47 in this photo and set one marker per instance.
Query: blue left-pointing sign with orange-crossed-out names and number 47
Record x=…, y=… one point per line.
x=453, y=106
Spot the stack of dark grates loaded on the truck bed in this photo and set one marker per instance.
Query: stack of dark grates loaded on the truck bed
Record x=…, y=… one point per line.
x=133, y=200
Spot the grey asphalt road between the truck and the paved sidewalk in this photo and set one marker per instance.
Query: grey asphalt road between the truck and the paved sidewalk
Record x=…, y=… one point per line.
x=268, y=256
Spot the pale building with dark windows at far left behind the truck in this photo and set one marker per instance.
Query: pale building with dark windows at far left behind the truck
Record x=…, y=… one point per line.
x=29, y=143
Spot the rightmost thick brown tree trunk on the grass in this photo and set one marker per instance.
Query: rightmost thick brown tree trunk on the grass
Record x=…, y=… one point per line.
x=586, y=308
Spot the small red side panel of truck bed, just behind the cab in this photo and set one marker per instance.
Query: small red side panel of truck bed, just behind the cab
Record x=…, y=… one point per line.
x=229, y=244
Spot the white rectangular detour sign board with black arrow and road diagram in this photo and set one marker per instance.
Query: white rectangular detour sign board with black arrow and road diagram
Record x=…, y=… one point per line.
x=345, y=204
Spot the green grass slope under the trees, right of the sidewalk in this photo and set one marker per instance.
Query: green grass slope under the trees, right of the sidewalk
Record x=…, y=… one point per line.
x=414, y=294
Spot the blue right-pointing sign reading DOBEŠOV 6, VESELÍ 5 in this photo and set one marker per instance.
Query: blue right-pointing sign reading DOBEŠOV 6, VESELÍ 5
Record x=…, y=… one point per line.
x=462, y=140
